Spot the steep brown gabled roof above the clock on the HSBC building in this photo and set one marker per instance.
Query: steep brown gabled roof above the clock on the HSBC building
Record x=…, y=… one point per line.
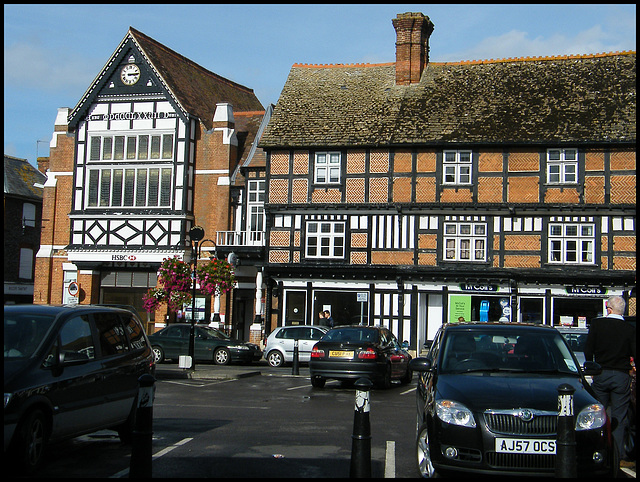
x=194, y=89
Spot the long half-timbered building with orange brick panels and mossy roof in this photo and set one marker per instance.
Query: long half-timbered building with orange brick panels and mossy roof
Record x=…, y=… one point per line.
x=414, y=193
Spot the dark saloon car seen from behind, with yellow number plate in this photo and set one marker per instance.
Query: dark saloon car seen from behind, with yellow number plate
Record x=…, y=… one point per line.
x=350, y=352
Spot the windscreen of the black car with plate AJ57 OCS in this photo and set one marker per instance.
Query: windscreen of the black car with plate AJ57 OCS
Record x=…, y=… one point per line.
x=506, y=350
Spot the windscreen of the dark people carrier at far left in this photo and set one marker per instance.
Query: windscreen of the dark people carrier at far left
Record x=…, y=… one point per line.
x=24, y=333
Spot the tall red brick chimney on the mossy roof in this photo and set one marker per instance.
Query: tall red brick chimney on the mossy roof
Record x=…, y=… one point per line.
x=412, y=46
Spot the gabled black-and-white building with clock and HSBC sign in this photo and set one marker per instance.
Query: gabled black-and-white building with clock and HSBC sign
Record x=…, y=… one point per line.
x=146, y=154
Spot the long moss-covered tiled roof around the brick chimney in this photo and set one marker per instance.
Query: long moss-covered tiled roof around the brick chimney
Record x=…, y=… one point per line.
x=534, y=100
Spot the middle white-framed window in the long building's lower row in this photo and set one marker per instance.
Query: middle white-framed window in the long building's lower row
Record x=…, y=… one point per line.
x=465, y=241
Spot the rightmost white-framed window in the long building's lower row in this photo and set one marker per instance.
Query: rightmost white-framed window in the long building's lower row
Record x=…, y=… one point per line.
x=572, y=243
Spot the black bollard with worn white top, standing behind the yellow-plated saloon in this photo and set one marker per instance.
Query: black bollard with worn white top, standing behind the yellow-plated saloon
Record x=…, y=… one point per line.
x=361, y=438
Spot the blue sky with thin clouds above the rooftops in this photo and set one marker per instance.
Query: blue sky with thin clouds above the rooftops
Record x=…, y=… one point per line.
x=52, y=53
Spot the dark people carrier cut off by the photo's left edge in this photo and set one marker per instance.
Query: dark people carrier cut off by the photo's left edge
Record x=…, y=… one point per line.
x=69, y=371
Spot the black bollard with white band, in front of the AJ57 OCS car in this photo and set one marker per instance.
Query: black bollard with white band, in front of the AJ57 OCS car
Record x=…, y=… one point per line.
x=566, y=462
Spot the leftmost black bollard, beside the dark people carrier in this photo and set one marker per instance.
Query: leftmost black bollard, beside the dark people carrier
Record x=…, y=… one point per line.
x=140, y=464
